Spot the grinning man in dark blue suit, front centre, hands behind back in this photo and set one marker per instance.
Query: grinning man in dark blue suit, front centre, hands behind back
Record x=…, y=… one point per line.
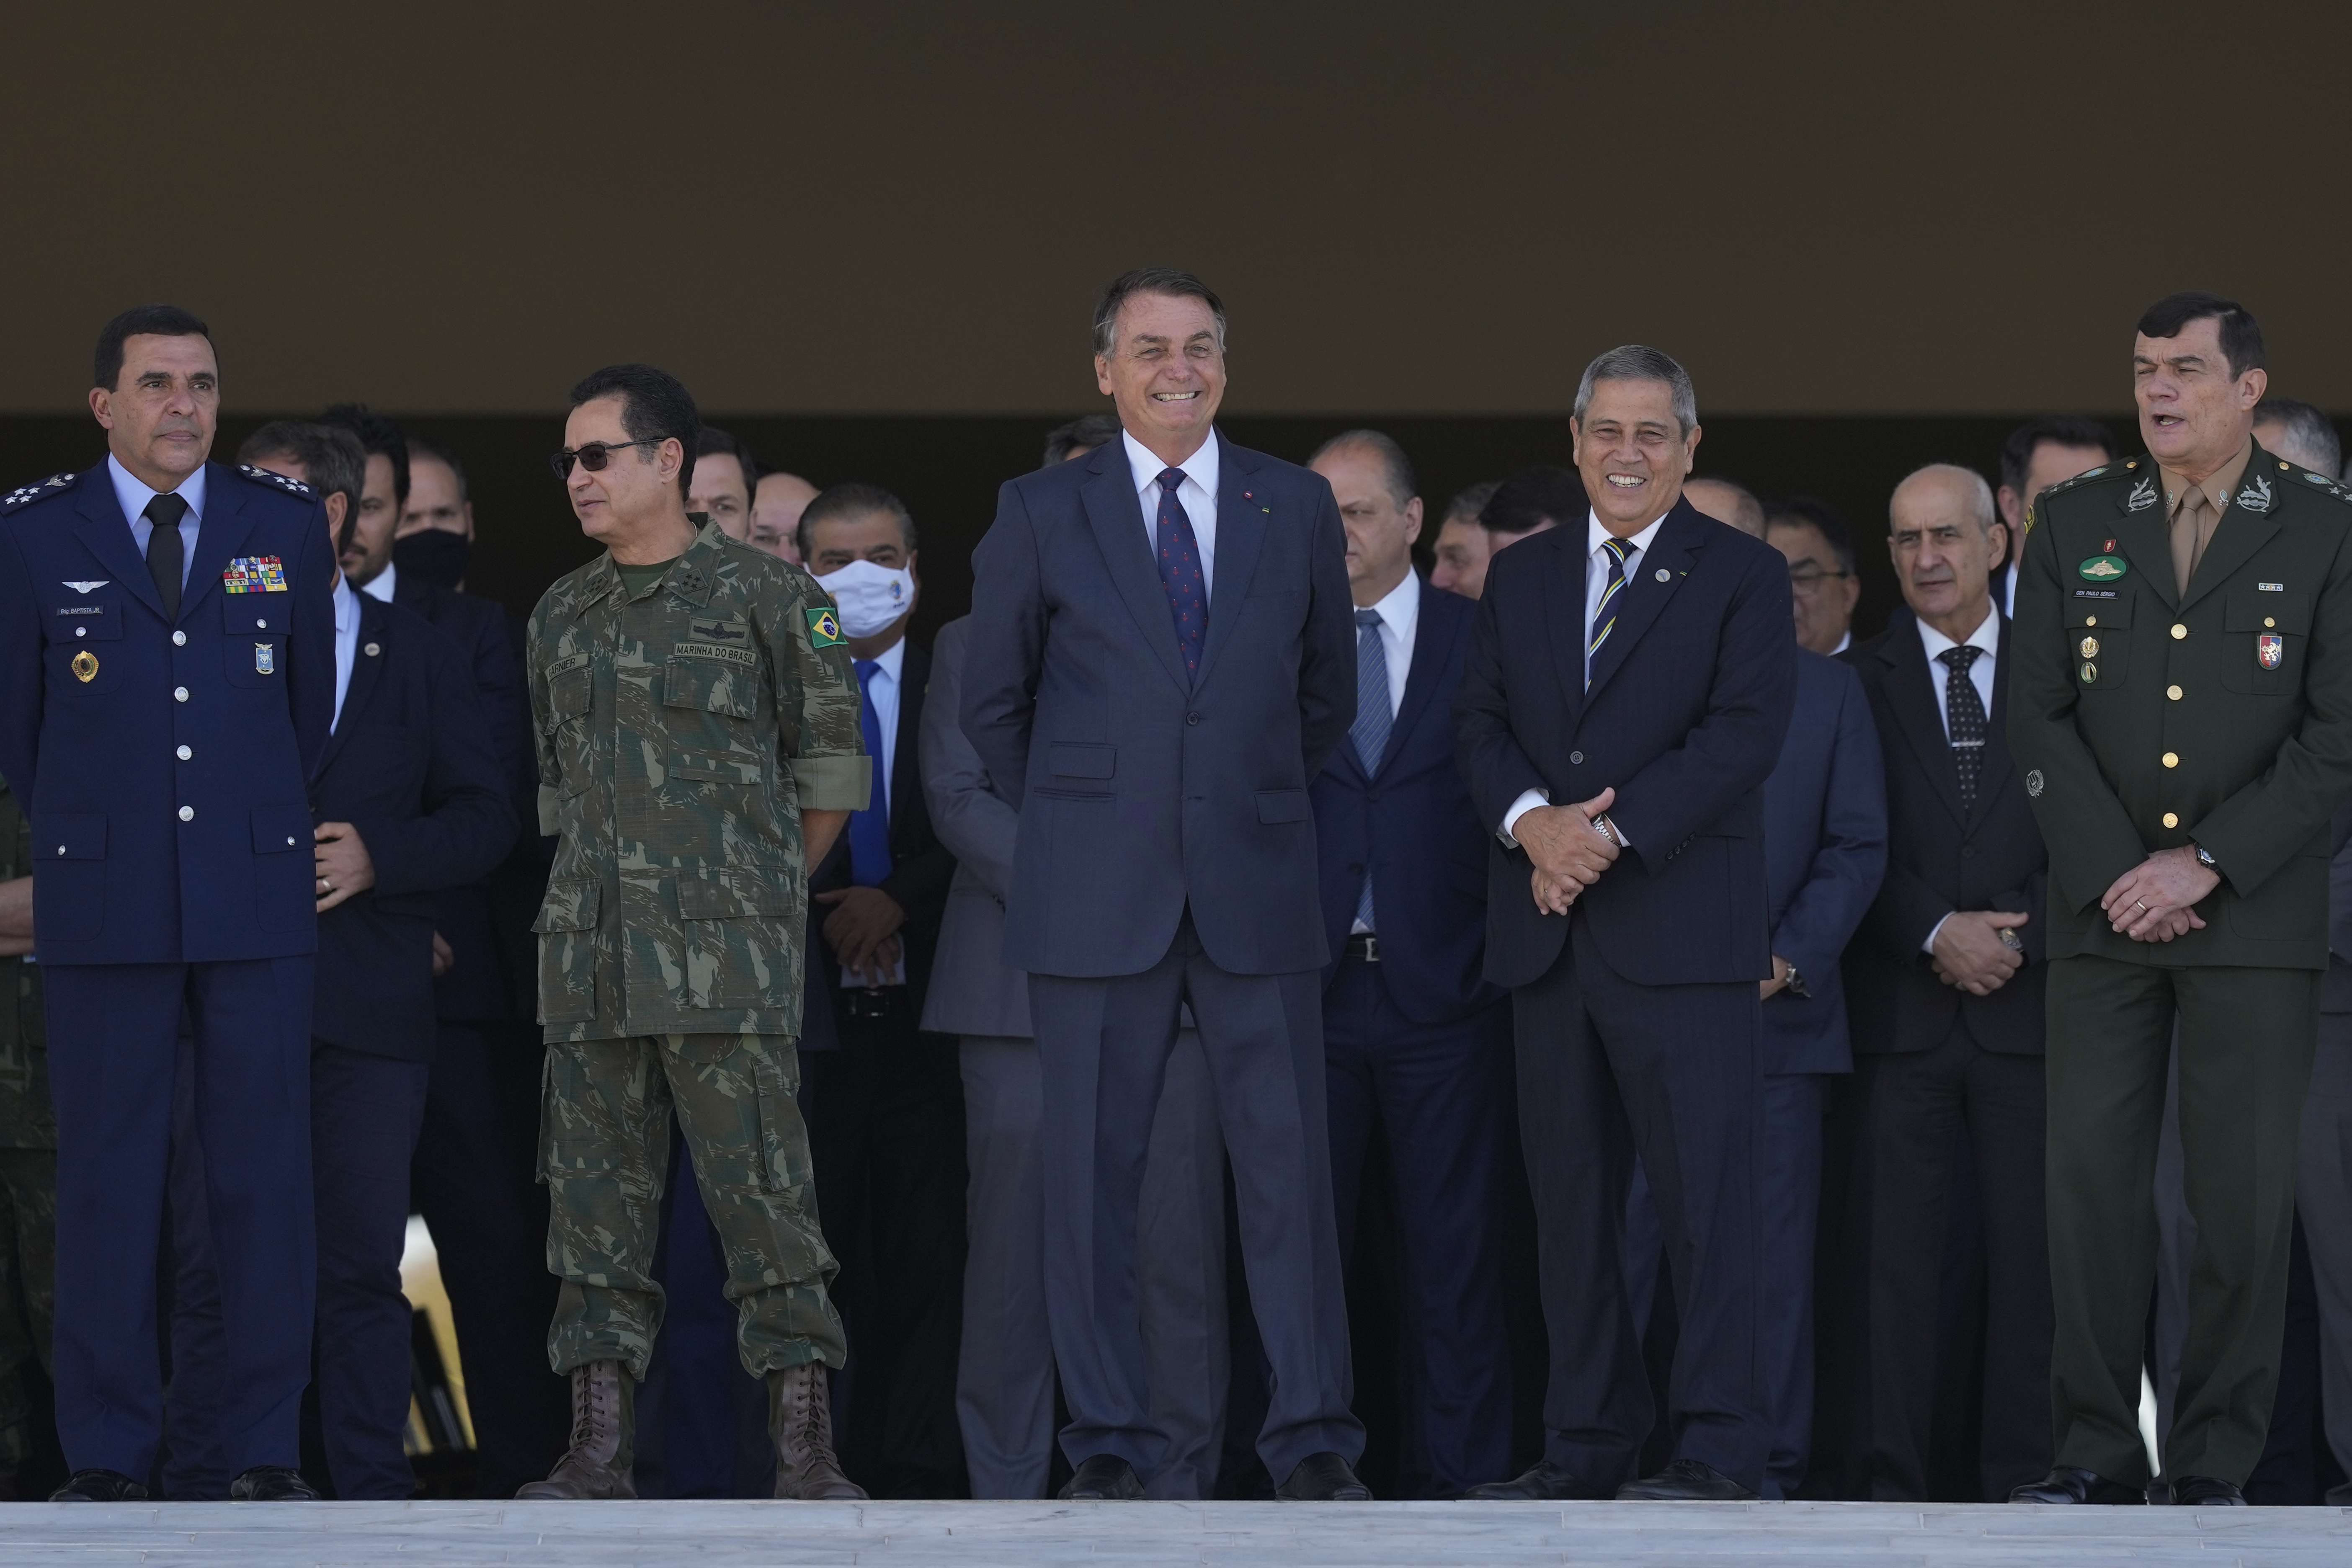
x=1161, y=662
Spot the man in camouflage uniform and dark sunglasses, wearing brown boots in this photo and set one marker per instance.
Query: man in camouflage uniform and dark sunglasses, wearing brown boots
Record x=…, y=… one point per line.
x=697, y=749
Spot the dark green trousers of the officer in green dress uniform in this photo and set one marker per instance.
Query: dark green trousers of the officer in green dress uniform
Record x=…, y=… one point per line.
x=2247, y=1040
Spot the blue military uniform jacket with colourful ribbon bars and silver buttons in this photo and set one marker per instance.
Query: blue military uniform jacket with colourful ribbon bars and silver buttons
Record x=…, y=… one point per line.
x=123, y=876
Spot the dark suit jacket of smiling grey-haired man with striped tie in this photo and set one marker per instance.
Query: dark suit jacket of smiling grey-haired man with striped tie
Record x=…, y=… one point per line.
x=1685, y=718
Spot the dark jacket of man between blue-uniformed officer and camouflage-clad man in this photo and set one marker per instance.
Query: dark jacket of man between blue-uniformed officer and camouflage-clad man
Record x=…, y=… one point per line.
x=413, y=768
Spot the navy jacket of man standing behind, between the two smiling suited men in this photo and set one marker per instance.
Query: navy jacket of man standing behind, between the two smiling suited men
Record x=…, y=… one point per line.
x=1412, y=824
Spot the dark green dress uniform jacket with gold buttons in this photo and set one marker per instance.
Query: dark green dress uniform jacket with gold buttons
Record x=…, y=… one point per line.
x=2146, y=718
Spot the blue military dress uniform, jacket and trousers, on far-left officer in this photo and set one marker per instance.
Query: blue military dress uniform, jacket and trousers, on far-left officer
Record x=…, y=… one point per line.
x=166, y=765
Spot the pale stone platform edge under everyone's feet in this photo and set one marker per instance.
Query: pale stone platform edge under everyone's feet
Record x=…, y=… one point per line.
x=1210, y=1534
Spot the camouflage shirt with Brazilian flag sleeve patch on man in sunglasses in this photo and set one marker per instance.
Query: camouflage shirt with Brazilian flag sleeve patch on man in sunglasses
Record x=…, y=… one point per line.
x=683, y=730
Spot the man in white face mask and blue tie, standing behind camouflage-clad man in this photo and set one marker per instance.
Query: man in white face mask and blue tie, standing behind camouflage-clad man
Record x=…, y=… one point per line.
x=886, y=1101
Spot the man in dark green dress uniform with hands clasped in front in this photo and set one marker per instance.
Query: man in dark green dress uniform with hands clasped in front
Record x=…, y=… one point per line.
x=2184, y=716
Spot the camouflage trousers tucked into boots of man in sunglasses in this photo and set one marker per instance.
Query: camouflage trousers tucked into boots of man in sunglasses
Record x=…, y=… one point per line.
x=606, y=1148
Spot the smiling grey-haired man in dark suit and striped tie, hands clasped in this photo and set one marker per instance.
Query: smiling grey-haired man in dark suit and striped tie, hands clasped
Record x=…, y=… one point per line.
x=1626, y=697
